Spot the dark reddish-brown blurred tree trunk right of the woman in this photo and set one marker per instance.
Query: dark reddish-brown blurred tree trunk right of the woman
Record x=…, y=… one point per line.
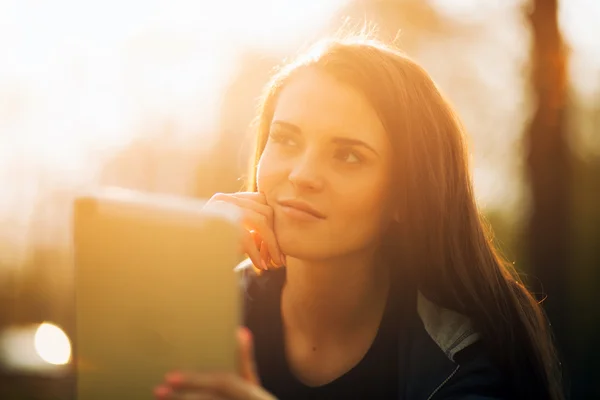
x=549, y=168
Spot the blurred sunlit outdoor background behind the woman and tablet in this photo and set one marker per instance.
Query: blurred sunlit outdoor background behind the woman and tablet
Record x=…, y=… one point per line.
x=158, y=96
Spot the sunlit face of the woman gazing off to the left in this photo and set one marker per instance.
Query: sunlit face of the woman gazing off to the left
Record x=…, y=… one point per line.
x=327, y=151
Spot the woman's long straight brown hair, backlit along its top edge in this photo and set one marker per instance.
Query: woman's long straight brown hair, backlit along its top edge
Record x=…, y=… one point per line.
x=443, y=237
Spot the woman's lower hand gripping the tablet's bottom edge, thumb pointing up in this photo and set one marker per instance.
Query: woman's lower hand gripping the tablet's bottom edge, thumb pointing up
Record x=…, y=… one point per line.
x=218, y=386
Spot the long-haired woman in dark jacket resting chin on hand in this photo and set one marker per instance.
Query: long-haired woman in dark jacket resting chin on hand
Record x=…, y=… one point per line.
x=391, y=286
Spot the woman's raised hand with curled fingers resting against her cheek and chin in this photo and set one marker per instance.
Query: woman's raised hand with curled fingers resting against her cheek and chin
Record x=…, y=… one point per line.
x=259, y=241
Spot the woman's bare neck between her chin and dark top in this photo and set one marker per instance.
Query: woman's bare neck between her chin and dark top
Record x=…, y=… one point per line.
x=329, y=300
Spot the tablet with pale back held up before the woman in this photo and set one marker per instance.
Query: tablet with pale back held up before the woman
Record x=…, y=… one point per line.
x=155, y=291
